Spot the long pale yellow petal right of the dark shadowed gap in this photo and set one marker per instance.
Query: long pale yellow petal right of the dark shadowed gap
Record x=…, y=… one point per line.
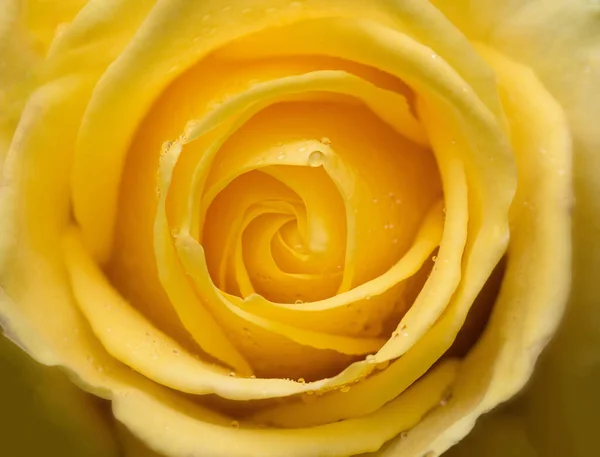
x=526, y=313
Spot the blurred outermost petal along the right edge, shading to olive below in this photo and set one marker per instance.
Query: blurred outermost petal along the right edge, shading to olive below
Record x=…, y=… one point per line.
x=560, y=42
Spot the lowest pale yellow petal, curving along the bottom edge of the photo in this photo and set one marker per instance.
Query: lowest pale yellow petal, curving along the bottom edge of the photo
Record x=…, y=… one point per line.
x=174, y=427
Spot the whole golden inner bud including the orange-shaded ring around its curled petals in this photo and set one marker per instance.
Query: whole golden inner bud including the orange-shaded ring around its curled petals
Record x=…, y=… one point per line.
x=326, y=199
